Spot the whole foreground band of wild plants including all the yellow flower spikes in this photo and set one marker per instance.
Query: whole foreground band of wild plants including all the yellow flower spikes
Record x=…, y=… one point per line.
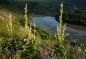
x=33, y=47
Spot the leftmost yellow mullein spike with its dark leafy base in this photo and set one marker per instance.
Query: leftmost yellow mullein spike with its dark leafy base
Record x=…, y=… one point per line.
x=12, y=42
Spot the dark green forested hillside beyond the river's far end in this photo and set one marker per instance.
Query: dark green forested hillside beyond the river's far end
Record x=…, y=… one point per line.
x=46, y=8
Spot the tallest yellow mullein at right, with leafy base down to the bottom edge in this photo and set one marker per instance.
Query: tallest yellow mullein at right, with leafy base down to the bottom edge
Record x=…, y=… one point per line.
x=59, y=51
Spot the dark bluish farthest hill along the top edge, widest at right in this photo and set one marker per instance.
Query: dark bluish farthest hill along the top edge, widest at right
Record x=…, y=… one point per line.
x=79, y=3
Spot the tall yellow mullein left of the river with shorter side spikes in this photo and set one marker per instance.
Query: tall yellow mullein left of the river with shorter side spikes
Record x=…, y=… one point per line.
x=28, y=29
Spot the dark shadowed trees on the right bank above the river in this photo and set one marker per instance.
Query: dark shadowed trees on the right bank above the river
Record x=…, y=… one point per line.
x=74, y=17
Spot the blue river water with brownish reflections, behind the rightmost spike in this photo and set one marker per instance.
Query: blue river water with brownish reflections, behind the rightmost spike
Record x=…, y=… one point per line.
x=49, y=24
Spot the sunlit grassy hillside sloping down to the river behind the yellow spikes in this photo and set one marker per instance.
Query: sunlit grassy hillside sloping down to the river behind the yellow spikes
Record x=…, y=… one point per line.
x=18, y=21
